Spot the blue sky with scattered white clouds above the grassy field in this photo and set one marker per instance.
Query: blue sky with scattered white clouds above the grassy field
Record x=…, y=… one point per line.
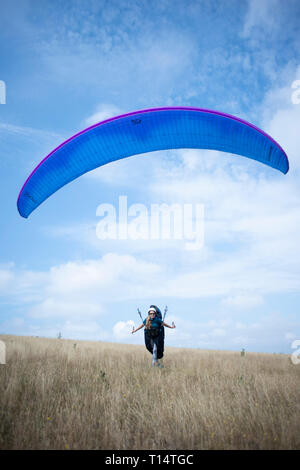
x=69, y=64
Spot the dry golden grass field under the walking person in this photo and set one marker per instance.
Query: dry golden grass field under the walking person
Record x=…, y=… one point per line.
x=64, y=394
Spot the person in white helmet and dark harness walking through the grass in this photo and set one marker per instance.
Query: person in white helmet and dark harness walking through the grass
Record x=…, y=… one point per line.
x=154, y=335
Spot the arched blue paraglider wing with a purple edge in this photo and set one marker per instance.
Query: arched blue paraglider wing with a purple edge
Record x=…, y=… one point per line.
x=146, y=131
